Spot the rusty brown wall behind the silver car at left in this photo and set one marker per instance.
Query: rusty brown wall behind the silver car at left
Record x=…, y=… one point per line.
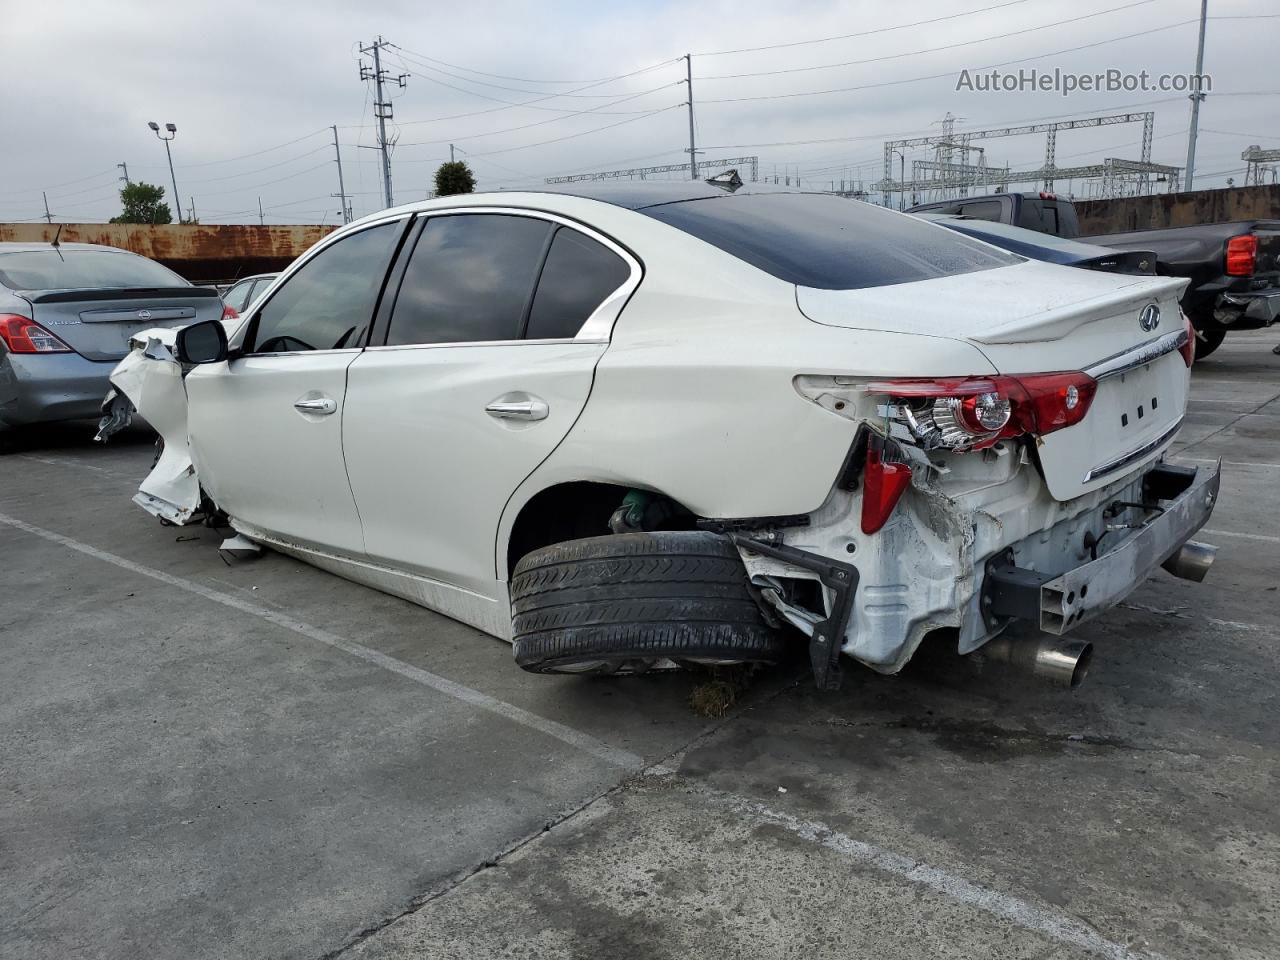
x=196, y=252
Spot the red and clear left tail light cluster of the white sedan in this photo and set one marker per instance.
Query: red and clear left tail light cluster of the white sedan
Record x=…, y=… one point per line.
x=964, y=414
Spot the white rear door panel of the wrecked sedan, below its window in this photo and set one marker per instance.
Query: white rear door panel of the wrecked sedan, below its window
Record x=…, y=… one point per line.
x=432, y=470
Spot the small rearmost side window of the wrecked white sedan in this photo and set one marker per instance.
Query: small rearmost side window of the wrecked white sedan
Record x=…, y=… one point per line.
x=578, y=277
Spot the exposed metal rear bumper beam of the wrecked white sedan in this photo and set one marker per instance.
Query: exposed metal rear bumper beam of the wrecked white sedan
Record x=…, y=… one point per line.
x=1180, y=502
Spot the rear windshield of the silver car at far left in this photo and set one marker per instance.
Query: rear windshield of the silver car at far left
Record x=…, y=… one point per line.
x=75, y=269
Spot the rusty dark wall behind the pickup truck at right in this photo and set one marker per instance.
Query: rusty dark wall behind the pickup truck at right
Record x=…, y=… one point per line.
x=1099, y=217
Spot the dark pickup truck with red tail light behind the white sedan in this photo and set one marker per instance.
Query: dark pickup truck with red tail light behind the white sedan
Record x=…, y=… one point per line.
x=1235, y=268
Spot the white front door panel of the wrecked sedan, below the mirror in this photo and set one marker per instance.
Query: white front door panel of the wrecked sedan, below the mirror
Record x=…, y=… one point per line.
x=267, y=463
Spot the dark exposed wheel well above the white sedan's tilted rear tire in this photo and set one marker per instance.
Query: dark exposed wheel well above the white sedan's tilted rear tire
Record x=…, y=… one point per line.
x=583, y=509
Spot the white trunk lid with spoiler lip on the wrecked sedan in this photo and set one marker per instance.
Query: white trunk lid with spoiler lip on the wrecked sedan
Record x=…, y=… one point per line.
x=1041, y=318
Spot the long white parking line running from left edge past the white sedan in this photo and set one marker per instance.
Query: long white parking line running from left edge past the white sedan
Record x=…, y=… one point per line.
x=574, y=738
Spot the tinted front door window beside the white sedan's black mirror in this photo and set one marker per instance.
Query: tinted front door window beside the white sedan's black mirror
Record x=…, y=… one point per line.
x=330, y=303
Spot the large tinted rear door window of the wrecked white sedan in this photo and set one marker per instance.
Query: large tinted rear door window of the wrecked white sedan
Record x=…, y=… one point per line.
x=469, y=280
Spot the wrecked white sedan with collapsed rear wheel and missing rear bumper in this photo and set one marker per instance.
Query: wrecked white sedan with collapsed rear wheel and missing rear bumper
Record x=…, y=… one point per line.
x=692, y=423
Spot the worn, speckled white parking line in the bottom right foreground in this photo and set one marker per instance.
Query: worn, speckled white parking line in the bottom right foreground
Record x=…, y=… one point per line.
x=1064, y=930
